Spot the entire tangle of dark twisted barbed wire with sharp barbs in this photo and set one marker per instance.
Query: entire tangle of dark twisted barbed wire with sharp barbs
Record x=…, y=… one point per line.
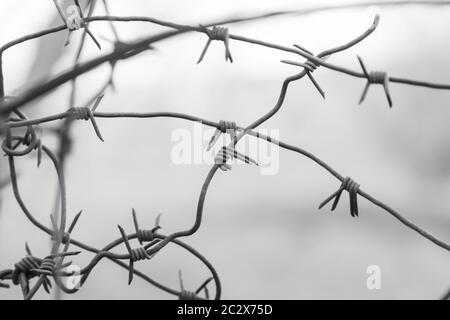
x=151, y=241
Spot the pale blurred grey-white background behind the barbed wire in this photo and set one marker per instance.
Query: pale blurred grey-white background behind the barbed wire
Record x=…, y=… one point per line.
x=263, y=234
